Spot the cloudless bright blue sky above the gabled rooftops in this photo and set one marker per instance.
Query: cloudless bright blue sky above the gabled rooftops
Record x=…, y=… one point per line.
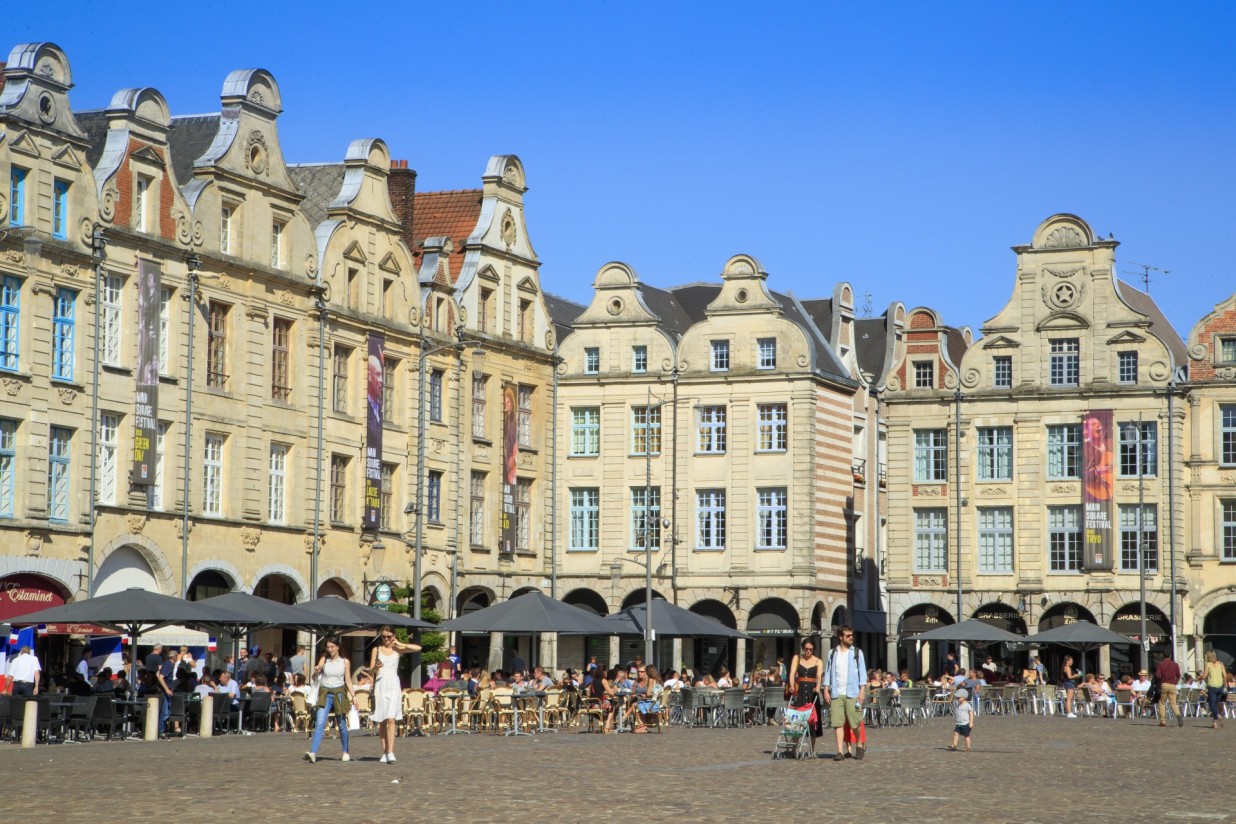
x=903, y=148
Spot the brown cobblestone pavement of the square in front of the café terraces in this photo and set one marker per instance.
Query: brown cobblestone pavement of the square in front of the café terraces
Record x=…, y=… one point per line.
x=1023, y=769
